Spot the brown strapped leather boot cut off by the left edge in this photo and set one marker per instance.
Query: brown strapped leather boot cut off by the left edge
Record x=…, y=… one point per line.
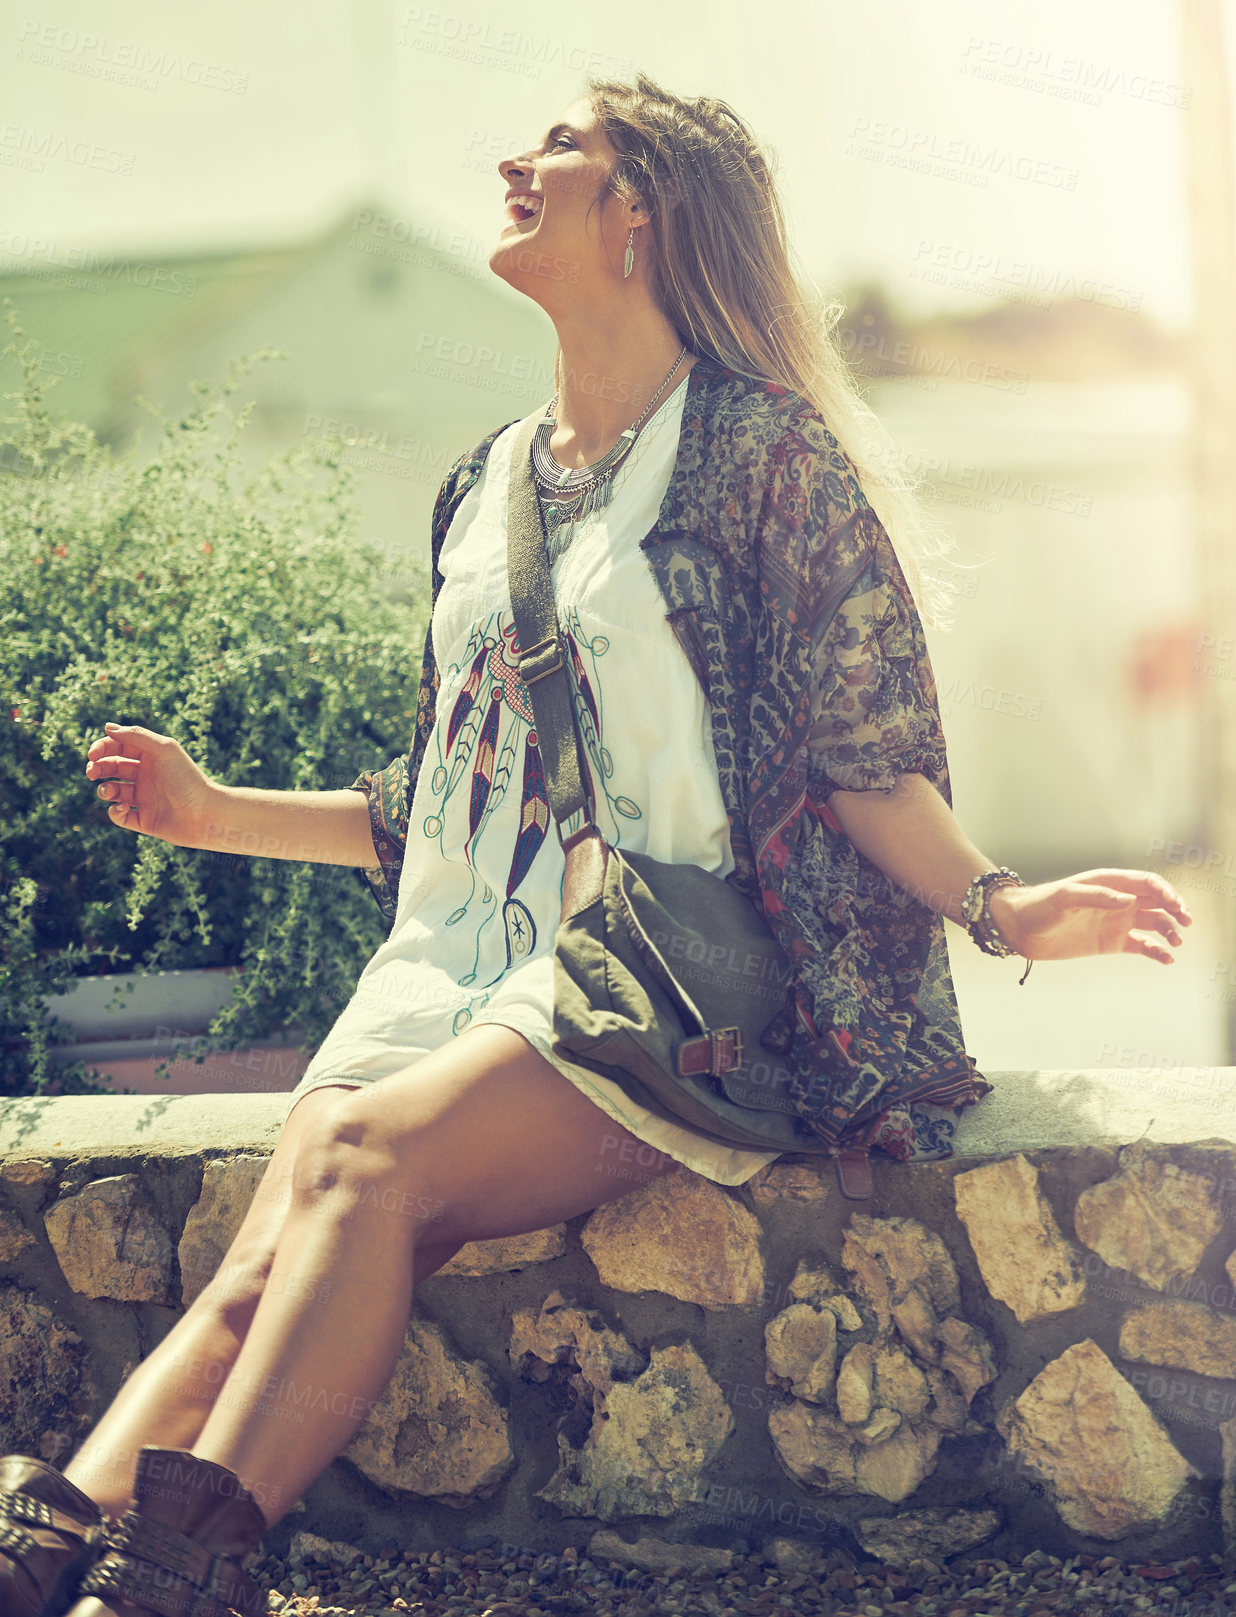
x=49, y=1535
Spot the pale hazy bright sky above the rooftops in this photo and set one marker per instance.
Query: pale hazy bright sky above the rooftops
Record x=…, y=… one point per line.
x=954, y=151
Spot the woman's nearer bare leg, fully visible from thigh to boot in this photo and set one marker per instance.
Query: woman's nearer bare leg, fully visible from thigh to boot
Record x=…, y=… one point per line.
x=480, y=1139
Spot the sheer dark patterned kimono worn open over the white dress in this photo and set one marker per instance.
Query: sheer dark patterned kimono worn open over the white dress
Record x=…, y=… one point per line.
x=789, y=601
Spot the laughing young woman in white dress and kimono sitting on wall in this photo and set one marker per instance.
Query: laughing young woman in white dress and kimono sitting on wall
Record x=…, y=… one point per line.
x=750, y=672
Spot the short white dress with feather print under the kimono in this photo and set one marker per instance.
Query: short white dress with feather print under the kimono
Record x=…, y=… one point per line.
x=483, y=876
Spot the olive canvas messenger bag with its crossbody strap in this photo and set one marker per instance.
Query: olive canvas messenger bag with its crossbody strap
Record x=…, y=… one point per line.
x=664, y=974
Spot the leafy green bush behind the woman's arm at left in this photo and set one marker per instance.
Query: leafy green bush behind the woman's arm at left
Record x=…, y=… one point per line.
x=234, y=612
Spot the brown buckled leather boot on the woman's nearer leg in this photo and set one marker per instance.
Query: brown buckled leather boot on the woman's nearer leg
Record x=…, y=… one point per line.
x=179, y=1550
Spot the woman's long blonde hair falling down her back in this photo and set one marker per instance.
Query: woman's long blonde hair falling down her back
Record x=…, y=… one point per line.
x=722, y=274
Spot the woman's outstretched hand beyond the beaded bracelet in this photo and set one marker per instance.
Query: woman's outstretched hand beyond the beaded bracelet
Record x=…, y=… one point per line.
x=1094, y=913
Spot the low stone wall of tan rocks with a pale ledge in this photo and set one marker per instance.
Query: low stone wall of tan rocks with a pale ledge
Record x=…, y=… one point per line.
x=1028, y=1345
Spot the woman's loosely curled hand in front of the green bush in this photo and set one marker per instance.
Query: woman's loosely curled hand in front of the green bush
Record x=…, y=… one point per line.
x=151, y=785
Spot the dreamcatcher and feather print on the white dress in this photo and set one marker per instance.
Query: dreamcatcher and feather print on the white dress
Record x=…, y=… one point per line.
x=476, y=735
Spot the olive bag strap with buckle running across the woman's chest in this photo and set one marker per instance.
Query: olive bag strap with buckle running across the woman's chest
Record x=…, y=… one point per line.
x=543, y=649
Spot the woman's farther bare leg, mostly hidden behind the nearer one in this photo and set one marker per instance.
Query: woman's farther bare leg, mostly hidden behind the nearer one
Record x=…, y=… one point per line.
x=167, y=1400
